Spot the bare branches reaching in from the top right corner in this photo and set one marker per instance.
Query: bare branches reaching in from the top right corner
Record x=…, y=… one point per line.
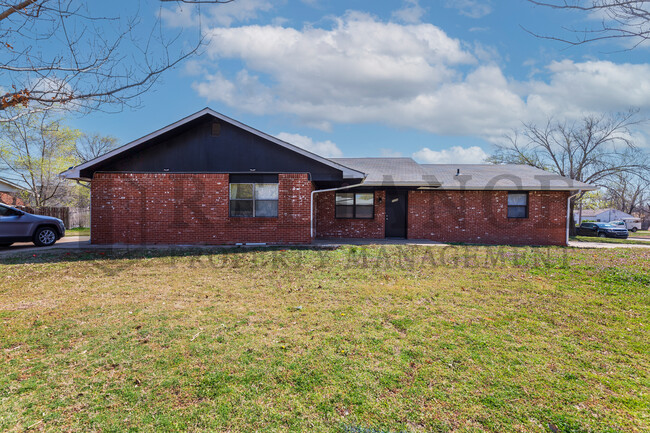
x=621, y=19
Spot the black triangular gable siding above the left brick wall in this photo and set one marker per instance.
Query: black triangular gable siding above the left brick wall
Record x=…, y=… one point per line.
x=194, y=149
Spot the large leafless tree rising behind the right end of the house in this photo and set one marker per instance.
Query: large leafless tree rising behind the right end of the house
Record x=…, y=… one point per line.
x=594, y=150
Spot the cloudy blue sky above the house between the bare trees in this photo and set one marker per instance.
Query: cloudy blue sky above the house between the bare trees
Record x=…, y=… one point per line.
x=440, y=81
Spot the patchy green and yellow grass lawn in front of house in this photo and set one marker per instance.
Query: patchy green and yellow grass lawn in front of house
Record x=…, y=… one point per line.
x=358, y=339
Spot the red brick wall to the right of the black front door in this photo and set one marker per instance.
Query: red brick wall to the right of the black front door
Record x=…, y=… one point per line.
x=481, y=217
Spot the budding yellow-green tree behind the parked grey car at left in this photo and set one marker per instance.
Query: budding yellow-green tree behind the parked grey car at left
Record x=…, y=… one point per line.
x=34, y=149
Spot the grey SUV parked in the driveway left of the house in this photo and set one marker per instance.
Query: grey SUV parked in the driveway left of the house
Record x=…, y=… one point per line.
x=20, y=226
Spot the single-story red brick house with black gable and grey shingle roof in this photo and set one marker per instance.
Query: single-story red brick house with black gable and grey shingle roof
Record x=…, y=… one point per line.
x=210, y=179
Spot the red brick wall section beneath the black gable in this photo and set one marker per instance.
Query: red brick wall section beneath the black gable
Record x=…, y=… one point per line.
x=169, y=208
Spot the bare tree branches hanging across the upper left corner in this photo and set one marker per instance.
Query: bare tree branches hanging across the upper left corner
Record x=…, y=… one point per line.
x=66, y=53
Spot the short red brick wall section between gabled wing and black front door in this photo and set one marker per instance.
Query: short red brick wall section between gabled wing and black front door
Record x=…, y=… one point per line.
x=328, y=226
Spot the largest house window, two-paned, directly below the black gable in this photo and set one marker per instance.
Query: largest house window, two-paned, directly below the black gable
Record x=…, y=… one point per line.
x=253, y=199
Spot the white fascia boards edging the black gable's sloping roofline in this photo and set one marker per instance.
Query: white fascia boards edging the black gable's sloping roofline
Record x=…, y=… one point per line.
x=348, y=173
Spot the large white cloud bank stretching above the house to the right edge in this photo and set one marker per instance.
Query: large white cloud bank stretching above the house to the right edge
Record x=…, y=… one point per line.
x=362, y=70
